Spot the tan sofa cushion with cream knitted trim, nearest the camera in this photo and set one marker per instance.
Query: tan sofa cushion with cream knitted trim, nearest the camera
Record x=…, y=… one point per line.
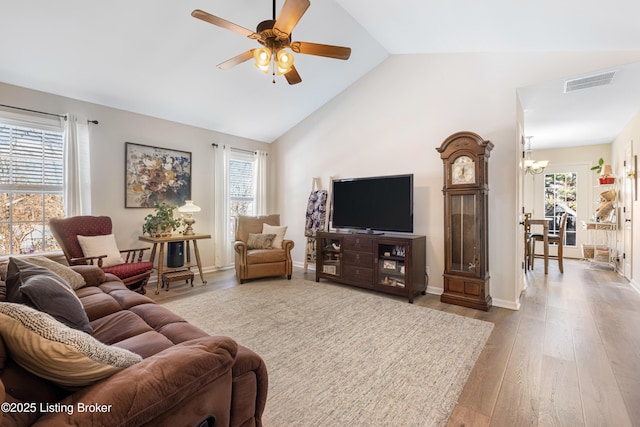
x=52, y=350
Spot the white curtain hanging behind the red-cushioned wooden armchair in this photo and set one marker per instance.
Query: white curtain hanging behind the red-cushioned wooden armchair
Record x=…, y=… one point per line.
x=77, y=176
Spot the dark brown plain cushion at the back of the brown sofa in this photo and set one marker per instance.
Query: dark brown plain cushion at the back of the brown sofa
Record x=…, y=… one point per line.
x=44, y=290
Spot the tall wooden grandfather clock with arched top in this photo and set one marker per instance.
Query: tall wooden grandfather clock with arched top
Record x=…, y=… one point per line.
x=465, y=158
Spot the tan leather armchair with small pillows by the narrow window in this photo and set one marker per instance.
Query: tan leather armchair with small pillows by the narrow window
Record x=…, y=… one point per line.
x=254, y=260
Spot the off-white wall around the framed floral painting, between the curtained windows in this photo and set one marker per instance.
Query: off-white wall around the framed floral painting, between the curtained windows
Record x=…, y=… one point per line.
x=108, y=154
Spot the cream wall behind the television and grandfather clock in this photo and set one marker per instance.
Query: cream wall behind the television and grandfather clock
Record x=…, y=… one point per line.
x=391, y=121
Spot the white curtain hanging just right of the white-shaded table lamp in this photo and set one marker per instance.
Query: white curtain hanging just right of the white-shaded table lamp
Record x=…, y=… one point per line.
x=223, y=250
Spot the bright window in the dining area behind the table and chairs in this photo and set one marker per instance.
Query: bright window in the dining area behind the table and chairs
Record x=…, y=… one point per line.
x=559, y=197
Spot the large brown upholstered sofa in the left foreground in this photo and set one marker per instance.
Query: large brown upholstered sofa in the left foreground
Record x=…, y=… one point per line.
x=185, y=377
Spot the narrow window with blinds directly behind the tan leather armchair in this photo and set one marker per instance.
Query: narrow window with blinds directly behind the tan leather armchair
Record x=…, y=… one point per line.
x=241, y=187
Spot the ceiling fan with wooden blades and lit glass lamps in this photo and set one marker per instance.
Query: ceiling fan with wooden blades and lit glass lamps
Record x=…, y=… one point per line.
x=275, y=36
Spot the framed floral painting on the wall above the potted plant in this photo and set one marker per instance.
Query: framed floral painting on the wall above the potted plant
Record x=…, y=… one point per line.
x=155, y=175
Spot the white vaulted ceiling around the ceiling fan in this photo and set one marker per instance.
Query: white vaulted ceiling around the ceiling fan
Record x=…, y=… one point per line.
x=152, y=57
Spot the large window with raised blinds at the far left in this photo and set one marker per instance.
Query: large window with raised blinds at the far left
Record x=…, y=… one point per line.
x=31, y=186
